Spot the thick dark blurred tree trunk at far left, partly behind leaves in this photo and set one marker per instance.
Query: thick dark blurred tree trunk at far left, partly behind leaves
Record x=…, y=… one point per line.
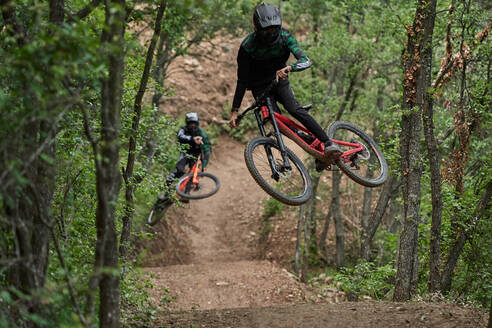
x=27, y=204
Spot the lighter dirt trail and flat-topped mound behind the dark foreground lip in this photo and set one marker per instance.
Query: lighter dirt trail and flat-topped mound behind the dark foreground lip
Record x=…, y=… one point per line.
x=223, y=270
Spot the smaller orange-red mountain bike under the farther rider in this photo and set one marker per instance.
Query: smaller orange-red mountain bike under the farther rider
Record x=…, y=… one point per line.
x=197, y=184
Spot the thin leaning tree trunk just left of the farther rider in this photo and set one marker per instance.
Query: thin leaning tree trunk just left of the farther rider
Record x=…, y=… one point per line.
x=137, y=109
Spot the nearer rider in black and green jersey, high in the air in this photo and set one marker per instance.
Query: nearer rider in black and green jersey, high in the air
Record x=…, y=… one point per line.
x=261, y=58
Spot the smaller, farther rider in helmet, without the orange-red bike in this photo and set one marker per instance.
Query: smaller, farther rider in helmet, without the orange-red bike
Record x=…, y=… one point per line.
x=193, y=136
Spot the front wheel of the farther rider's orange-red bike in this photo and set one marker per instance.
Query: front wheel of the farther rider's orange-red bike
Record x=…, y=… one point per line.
x=207, y=185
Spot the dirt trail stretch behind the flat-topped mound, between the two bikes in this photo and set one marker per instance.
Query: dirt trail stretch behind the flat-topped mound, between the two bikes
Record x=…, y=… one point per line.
x=222, y=221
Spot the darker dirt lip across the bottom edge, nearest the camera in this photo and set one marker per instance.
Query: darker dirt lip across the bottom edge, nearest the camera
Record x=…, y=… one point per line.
x=348, y=314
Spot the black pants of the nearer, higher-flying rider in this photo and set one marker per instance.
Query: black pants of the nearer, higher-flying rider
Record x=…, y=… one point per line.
x=284, y=95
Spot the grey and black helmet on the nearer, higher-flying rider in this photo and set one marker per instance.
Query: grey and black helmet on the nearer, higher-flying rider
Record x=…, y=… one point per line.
x=268, y=22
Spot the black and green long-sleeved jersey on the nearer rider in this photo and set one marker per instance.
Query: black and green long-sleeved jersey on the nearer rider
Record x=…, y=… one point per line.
x=257, y=64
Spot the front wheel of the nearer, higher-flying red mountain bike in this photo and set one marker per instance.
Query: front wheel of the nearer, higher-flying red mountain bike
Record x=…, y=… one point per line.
x=264, y=161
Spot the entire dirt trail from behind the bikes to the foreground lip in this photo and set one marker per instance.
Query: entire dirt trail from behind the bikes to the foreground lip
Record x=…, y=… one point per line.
x=223, y=283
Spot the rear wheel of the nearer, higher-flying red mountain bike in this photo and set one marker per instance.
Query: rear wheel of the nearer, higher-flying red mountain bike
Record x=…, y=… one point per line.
x=367, y=167
